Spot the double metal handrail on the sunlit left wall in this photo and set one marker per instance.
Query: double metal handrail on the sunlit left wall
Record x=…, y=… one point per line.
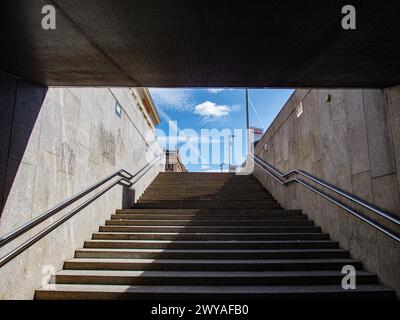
x=125, y=179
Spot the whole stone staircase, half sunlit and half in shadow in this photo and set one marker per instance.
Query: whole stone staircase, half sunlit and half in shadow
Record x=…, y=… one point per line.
x=209, y=236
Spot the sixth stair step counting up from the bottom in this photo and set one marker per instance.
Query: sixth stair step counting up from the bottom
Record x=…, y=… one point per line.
x=208, y=236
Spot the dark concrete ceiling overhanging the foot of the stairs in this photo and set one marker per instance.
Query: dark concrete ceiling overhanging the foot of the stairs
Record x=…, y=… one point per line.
x=190, y=43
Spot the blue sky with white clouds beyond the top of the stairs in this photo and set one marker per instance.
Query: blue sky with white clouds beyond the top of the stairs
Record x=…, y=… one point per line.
x=187, y=113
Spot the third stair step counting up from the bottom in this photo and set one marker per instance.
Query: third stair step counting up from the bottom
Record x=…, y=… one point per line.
x=209, y=265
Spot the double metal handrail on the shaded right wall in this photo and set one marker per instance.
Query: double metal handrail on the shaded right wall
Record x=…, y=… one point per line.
x=283, y=180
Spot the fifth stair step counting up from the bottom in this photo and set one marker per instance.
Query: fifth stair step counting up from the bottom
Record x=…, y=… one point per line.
x=193, y=245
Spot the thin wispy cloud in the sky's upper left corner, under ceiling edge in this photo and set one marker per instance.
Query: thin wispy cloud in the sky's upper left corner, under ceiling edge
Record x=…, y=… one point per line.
x=177, y=99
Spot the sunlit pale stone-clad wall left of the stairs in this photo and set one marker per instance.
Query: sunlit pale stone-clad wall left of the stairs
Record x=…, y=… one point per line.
x=73, y=139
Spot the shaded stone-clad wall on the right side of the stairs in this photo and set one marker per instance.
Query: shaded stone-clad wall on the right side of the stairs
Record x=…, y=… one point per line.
x=351, y=139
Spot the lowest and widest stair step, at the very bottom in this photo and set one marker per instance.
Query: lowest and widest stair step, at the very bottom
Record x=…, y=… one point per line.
x=97, y=292
